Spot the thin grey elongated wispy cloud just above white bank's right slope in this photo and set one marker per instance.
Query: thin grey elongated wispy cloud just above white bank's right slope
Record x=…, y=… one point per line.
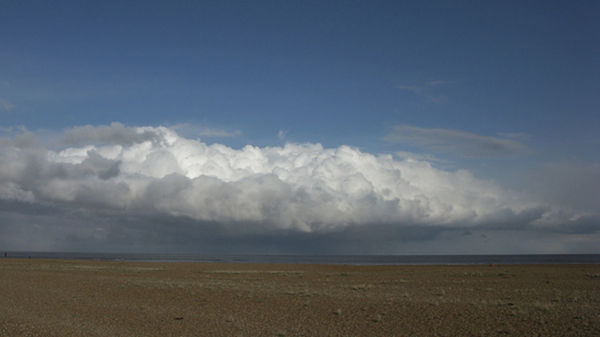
x=456, y=141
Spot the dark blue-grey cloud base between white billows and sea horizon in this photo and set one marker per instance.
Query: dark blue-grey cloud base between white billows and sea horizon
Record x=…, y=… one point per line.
x=34, y=227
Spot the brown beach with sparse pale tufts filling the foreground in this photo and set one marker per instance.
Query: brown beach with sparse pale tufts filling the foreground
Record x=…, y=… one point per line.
x=90, y=298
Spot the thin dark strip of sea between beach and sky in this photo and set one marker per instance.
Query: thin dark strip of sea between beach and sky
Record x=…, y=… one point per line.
x=323, y=259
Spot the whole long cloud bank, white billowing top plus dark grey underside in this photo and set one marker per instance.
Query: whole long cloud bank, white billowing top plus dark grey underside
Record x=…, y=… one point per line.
x=121, y=184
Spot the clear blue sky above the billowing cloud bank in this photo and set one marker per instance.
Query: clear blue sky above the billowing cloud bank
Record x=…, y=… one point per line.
x=504, y=89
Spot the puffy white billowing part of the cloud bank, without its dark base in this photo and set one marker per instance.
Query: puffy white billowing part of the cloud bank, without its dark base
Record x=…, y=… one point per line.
x=300, y=187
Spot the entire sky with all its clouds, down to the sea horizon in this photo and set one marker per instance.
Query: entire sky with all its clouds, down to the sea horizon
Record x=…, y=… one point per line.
x=300, y=127
